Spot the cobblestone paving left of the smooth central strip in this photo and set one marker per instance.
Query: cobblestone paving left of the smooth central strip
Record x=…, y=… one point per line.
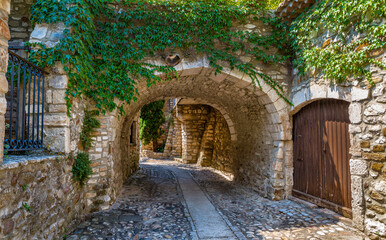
x=148, y=208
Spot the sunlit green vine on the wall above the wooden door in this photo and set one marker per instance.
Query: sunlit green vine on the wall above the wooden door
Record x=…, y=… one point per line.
x=345, y=56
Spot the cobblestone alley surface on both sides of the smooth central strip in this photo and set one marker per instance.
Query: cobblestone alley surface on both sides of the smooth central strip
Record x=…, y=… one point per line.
x=151, y=206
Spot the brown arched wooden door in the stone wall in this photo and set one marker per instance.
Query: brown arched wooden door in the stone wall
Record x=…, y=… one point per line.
x=321, y=155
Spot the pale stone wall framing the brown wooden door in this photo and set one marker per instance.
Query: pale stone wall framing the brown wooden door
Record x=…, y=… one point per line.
x=367, y=131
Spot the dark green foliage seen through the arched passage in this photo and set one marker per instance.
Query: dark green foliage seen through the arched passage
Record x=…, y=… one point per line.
x=151, y=119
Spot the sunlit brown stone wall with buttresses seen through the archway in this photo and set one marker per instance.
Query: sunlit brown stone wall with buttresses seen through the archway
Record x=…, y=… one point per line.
x=202, y=134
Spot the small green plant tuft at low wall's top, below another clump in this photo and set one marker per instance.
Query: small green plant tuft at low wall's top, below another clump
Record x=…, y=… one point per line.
x=81, y=169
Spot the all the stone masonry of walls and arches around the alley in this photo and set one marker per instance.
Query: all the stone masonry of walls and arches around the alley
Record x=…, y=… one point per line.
x=253, y=127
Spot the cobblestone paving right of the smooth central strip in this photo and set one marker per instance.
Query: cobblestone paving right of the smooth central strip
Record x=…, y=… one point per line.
x=260, y=218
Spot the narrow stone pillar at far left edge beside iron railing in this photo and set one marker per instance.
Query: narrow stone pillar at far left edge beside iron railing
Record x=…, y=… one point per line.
x=4, y=37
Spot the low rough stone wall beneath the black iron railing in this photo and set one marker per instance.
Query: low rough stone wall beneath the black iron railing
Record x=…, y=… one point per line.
x=45, y=186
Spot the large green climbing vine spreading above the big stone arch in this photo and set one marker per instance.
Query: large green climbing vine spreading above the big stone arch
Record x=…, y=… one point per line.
x=107, y=41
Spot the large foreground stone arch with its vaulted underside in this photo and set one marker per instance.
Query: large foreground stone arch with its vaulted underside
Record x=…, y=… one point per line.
x=257, y=121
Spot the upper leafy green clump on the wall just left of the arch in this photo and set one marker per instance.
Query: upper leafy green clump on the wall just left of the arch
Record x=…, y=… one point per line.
x=90, y=124
